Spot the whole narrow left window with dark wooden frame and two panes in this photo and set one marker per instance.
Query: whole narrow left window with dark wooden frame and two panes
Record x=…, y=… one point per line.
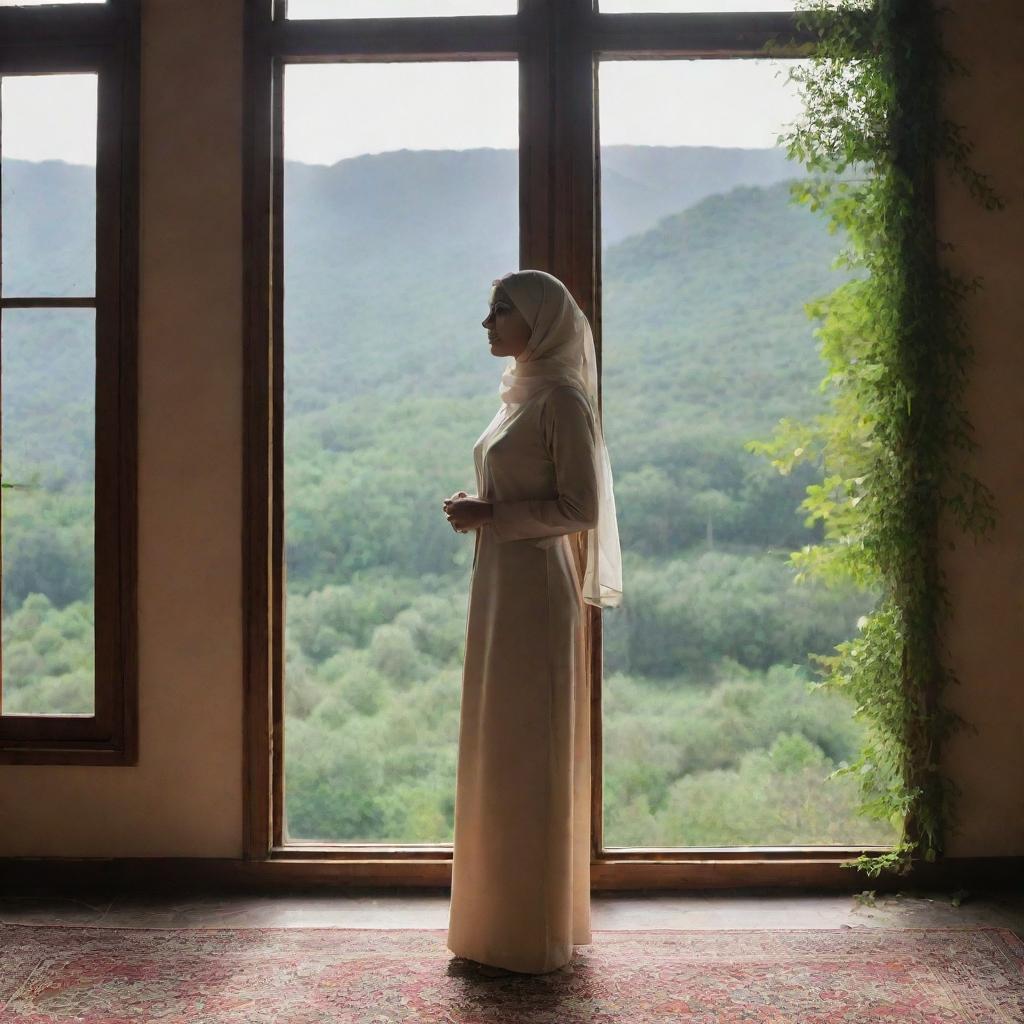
x=68, y=210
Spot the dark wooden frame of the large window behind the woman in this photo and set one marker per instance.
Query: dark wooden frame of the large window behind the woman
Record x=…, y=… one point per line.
x=559, y=46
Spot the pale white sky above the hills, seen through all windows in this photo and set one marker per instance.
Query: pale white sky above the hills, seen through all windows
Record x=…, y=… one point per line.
x=333, y=112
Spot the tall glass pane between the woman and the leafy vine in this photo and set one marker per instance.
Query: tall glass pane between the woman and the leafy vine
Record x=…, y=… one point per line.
x=712, y=737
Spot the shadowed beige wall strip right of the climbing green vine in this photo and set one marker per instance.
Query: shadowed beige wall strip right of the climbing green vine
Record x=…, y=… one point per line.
x=987, y=582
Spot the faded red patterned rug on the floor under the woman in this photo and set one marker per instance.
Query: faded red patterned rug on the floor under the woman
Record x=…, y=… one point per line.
x=52, y=973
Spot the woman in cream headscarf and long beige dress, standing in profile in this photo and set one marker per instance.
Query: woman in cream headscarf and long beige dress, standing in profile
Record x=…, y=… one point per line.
x=521, y=873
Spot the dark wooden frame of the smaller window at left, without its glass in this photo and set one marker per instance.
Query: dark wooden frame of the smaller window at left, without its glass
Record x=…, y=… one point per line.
x=103, y=39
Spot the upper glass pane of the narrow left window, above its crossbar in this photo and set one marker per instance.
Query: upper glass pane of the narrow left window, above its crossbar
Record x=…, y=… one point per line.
x=49, y=146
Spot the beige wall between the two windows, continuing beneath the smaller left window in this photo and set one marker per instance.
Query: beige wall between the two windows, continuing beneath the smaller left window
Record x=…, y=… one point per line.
x=185, y=797
